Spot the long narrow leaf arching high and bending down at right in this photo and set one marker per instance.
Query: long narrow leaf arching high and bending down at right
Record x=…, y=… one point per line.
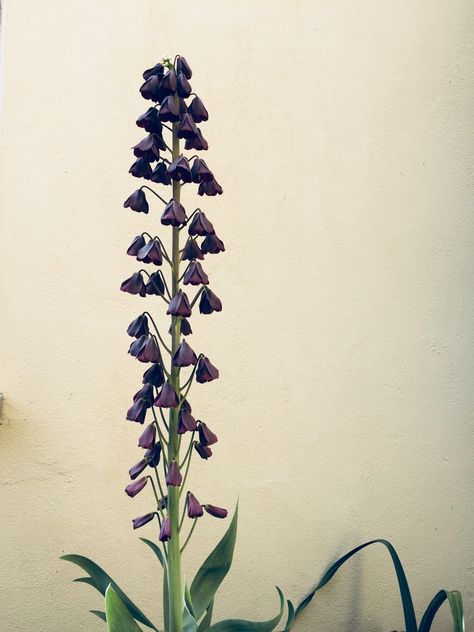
x=407, y=602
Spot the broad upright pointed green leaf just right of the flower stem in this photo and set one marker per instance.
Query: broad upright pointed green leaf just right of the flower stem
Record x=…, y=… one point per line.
x=211, y=574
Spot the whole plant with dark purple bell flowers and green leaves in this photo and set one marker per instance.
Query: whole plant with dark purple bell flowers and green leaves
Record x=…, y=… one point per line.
x=171, y=272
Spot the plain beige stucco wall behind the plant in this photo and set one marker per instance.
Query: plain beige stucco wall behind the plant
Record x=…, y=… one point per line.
x=342, y=134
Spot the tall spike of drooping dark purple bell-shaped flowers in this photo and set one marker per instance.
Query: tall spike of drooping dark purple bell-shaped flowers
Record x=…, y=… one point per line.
x=172, y=434
